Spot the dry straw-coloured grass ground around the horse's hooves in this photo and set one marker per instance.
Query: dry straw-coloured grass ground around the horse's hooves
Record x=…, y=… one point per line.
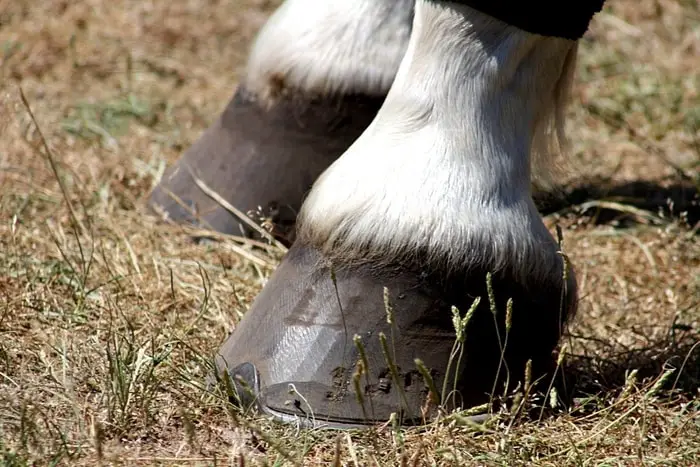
x=108, y=318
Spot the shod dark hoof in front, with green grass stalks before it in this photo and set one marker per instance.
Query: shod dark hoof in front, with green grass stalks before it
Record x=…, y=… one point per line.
x=316, y=347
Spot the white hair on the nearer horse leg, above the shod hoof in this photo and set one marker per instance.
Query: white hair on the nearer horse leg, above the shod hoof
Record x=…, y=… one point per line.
x=445, y=166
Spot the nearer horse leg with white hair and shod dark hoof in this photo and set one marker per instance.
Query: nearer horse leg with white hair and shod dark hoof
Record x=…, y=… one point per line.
x=433, y=196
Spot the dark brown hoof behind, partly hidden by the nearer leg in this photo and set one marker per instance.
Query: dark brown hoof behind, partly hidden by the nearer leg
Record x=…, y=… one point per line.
x=261, y=158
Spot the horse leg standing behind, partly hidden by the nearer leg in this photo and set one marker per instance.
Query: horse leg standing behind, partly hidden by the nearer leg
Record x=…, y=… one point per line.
x=315, y=78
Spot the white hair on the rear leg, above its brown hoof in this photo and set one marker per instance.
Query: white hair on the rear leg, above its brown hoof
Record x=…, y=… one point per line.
x=330, y=46
